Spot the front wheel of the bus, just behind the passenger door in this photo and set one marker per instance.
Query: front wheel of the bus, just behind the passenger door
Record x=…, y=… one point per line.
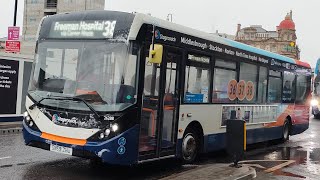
x=190, y=146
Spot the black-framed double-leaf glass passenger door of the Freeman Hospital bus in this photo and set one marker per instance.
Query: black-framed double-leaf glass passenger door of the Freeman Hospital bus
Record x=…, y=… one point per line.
x=160, y=107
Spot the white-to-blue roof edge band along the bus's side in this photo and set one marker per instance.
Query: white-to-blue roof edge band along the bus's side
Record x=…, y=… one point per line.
x=141, y=19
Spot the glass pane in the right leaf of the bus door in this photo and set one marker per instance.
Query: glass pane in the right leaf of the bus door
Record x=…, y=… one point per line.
x=169, y=105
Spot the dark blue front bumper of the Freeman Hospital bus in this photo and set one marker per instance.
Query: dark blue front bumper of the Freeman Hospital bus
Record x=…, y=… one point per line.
x=111, y=151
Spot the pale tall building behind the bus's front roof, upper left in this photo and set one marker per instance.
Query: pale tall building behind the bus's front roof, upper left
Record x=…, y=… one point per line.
x=35, y=10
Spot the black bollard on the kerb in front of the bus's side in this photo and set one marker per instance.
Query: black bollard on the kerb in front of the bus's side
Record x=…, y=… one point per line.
x=236, y=140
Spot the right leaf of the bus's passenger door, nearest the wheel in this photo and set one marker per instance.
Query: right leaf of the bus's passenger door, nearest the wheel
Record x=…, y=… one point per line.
x=170, y=100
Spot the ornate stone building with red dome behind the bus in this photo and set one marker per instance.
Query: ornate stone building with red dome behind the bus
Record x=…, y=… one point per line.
x=281, y=41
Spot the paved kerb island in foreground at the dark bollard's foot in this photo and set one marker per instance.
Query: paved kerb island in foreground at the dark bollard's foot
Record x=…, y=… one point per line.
x=217, y=172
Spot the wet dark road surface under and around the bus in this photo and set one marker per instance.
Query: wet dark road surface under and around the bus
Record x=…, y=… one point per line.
x=296, y=159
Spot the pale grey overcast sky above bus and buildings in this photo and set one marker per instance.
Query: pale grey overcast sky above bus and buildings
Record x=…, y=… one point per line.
x=212, y=15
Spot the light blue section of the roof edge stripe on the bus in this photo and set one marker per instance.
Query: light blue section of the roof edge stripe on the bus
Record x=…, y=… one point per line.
x=259, y=51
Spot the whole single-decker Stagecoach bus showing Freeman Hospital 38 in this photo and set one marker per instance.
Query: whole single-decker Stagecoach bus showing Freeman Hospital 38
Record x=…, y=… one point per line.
x=130, y=88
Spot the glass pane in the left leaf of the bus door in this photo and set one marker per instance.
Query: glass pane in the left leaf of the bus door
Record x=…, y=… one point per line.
x=149, y=117
